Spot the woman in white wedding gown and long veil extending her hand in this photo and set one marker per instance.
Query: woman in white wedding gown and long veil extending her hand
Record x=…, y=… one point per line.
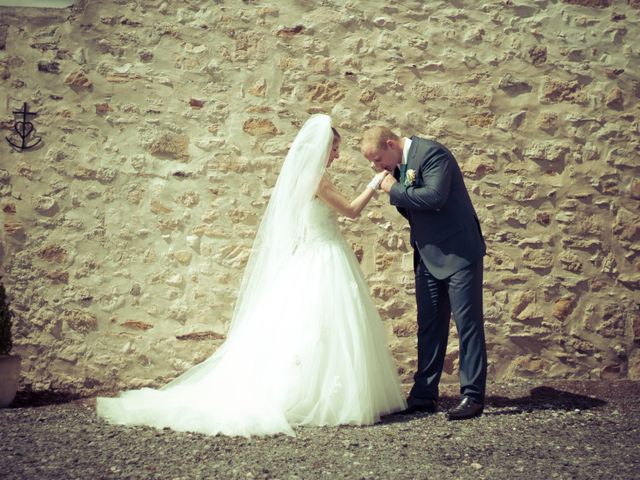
x=306, y=345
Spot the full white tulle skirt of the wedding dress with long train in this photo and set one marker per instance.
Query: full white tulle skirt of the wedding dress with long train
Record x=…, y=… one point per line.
x=313, y=352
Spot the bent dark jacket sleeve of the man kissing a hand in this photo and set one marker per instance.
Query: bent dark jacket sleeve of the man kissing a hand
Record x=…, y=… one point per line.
x=436, y=184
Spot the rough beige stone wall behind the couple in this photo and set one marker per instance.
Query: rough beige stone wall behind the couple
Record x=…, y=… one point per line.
x=164, y=124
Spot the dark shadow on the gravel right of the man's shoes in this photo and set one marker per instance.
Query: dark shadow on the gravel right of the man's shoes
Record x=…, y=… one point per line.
x=542, y=398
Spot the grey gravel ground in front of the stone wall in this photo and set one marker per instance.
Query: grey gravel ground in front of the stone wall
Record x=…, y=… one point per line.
x=530, y=430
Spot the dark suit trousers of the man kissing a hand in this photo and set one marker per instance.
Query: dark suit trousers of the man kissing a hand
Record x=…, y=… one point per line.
x=437, y=299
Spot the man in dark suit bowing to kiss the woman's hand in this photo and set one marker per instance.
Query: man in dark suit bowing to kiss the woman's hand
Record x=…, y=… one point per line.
x=427, y=188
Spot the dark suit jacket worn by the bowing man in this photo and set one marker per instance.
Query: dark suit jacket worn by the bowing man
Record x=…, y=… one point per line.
x=444, y=225
